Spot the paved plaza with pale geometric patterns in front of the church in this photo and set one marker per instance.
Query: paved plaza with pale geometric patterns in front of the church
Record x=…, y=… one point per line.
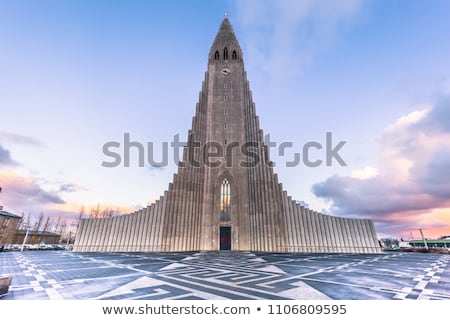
x=225, y=275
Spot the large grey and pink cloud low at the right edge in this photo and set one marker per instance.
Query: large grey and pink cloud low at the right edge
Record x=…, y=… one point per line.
x=410, y=181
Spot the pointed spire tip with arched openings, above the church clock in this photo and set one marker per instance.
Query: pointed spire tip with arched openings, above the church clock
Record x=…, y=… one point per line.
x=225, y=46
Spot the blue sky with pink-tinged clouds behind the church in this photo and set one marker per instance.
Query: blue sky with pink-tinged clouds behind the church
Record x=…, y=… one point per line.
x=75, y=75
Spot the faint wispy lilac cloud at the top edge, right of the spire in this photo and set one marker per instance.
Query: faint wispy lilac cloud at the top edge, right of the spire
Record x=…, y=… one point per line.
x=284, y=36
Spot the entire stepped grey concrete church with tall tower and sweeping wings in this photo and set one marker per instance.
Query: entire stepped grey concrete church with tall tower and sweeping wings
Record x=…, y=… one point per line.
x=231, y=200
